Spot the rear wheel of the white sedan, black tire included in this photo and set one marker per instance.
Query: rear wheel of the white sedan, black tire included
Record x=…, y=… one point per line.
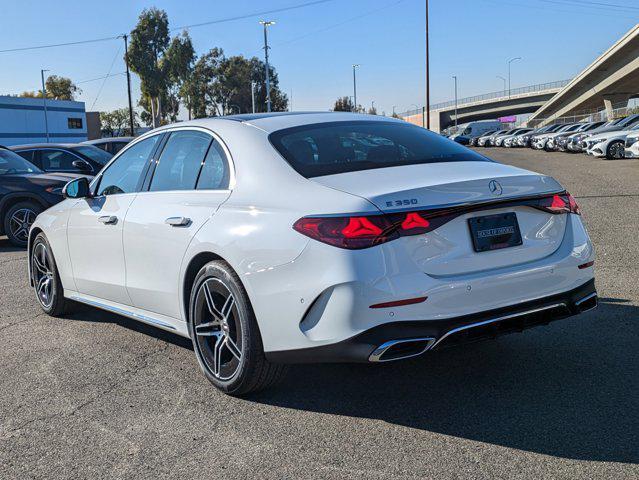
x=225, y=335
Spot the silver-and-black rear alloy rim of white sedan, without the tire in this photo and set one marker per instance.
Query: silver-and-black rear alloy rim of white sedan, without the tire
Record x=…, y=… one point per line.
x=218, y=329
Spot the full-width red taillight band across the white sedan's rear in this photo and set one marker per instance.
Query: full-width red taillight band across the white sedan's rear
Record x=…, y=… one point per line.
x=363, y=231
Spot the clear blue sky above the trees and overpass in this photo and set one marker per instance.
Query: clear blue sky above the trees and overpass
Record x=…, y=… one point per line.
x=314, y=47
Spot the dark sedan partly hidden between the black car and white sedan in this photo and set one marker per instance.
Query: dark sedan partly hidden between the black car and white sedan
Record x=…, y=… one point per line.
x=64, y=157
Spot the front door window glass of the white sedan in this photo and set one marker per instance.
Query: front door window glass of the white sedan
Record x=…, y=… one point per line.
x=123, y=175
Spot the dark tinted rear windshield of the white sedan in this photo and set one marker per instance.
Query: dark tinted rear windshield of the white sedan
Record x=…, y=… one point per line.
x=339, y=147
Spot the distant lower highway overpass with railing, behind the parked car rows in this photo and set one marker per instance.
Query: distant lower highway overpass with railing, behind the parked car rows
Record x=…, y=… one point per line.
x=488, y=106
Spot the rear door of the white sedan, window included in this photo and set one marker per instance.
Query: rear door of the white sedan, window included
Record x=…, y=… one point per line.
x=189, y=182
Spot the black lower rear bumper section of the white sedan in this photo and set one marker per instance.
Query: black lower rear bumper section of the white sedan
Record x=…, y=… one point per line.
x=435, y=334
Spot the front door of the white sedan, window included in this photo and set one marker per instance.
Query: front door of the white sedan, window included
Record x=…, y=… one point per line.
x=95, y=224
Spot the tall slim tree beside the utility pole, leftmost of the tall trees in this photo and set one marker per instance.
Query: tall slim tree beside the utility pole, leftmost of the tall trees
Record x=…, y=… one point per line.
x=149, y=41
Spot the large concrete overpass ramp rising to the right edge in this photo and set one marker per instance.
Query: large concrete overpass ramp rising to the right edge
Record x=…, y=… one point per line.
x=609, y=82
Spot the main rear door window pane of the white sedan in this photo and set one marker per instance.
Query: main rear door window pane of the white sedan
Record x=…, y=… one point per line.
x=179, y=165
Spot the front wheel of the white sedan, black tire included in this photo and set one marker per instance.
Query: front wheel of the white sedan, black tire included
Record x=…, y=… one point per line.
x=46, y=279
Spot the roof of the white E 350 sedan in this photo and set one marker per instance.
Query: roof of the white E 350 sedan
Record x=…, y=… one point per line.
x=270, y=122
